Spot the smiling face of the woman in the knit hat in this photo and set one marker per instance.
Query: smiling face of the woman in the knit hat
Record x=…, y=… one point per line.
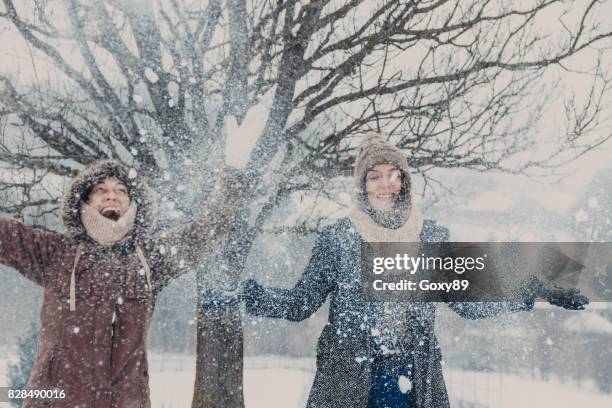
x=383, y=184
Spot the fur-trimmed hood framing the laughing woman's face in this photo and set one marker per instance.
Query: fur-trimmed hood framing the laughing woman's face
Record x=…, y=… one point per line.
x=82, y=184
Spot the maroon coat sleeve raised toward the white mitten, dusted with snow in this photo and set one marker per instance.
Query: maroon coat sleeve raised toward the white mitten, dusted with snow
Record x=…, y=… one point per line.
x=181, y=249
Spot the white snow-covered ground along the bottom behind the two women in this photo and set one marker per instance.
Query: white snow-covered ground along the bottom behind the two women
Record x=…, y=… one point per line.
x=283, y=382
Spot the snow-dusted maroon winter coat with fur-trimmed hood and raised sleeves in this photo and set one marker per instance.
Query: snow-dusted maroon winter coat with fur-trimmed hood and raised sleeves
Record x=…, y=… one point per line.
x=97, y=352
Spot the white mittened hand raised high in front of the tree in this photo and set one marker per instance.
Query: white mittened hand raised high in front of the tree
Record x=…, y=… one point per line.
x=242, y=139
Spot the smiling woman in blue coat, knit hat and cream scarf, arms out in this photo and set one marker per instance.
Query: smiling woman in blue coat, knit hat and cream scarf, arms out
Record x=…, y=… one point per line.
x=370, y=354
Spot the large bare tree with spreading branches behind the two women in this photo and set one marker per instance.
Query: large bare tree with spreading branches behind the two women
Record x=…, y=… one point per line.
x=452, y=83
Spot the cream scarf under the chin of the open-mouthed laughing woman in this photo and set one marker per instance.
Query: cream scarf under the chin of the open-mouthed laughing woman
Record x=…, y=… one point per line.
x=106, y=231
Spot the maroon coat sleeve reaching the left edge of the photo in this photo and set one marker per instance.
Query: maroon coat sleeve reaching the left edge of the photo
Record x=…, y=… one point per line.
x=27, y=249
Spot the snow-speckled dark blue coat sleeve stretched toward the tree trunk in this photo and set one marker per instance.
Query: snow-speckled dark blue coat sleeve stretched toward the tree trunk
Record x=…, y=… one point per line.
x=308, y=294
